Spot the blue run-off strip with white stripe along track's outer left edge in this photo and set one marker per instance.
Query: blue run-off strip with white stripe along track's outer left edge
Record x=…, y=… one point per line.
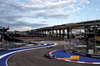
x=4, y=55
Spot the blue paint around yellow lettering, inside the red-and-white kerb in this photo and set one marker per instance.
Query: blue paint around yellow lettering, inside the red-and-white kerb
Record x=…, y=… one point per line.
x=62, y=54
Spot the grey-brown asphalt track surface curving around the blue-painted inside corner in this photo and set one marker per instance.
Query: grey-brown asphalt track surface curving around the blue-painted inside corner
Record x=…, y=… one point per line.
x=36, y=58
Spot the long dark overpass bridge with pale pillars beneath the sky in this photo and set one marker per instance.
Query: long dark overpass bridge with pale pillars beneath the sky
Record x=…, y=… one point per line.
x=65, y=29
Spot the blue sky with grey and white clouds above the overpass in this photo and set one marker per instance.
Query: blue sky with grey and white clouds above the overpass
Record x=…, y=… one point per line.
x=22, y=15
